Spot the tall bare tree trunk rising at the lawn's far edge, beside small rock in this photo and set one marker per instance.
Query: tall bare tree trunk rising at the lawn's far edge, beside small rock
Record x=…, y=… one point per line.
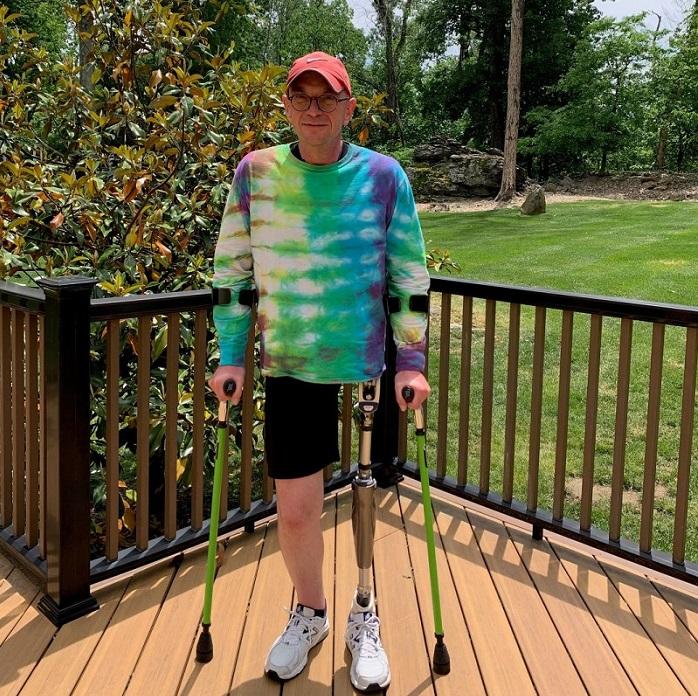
x=511, y=138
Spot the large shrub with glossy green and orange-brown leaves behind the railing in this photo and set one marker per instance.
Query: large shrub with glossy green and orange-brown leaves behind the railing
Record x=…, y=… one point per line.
x=123, y=179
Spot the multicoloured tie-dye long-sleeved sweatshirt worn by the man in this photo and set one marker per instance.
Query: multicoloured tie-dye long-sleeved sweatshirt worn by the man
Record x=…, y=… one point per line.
x=319, y=243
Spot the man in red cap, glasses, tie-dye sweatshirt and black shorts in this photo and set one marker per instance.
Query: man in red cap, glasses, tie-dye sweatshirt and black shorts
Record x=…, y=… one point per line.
x=319, y=228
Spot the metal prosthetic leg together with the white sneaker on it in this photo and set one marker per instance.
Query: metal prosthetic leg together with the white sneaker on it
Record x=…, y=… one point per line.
x=369, y=670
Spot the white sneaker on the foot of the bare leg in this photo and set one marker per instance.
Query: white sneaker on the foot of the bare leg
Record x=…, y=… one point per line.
x=289, y=653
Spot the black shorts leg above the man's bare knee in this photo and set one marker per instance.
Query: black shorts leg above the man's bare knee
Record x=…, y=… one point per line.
x=300, y=427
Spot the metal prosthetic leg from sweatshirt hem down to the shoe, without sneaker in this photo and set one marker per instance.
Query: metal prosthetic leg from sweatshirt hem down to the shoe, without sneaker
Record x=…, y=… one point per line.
x=363, y=514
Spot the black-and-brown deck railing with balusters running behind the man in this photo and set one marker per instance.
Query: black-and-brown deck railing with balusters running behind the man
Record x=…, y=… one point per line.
x=47, y=404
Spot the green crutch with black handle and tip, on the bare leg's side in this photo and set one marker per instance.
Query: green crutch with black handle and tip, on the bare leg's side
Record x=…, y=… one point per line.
x=204, y=646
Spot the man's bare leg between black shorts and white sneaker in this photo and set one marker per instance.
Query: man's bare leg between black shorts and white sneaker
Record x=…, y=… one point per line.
x=299, y=504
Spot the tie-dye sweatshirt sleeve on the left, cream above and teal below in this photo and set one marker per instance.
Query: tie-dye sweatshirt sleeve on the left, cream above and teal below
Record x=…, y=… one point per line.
x=233, y=268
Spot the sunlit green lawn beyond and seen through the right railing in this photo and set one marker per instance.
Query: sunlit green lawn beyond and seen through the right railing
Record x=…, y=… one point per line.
x=634, y=250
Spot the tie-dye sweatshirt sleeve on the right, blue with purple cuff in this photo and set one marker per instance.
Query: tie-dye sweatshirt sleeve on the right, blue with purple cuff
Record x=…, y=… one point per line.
x=407, y=276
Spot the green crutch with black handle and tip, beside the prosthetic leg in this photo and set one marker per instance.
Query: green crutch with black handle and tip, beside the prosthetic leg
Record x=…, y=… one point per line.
x=441, y=661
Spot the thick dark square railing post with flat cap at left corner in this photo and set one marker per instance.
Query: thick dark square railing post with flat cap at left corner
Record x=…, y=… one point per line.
x=67, y=475
